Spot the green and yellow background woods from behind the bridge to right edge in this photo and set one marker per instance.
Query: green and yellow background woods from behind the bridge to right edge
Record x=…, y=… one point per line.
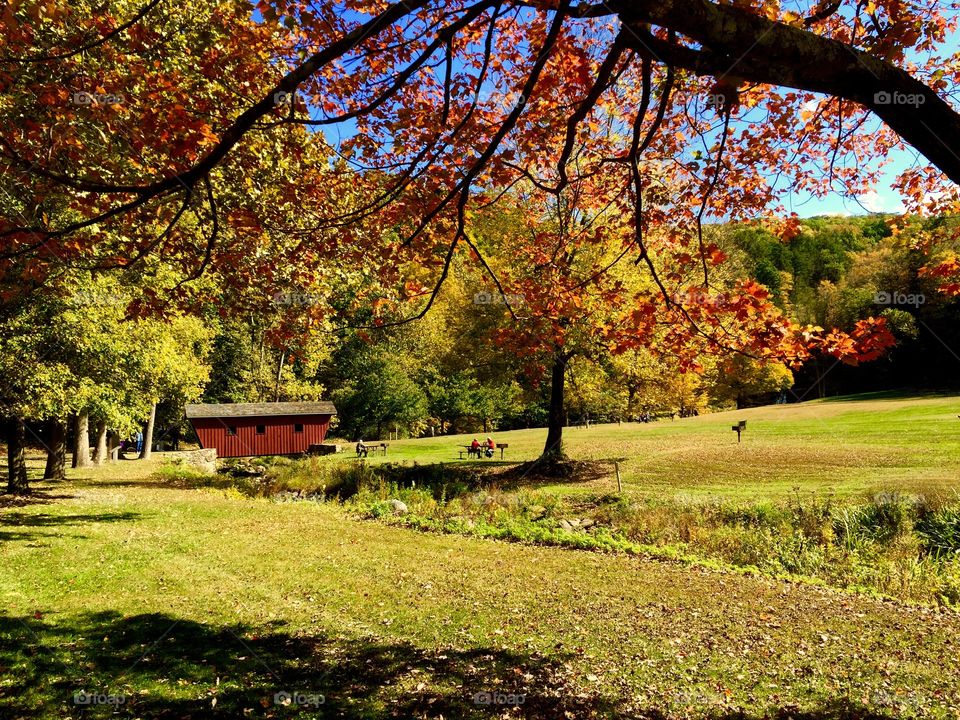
x=449, y=372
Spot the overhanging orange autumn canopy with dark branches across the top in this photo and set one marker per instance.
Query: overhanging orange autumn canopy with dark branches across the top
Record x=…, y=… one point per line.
x=134, y=115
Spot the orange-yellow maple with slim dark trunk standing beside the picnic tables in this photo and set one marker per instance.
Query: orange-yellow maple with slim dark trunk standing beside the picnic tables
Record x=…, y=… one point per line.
x=567, y=294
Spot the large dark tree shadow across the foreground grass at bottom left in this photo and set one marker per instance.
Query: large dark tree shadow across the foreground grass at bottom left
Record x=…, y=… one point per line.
x=159, y=666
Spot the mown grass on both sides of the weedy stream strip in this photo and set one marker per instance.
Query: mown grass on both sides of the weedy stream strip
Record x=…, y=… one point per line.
x=196, y=603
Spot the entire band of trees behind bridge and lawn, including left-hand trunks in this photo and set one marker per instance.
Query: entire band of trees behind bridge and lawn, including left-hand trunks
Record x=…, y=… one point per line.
x=85, y=366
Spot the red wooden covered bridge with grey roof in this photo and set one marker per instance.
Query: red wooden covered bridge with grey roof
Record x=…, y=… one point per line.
x=245, y=429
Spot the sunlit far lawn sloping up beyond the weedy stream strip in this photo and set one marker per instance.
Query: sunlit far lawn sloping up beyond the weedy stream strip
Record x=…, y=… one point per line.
x=842, y=446
